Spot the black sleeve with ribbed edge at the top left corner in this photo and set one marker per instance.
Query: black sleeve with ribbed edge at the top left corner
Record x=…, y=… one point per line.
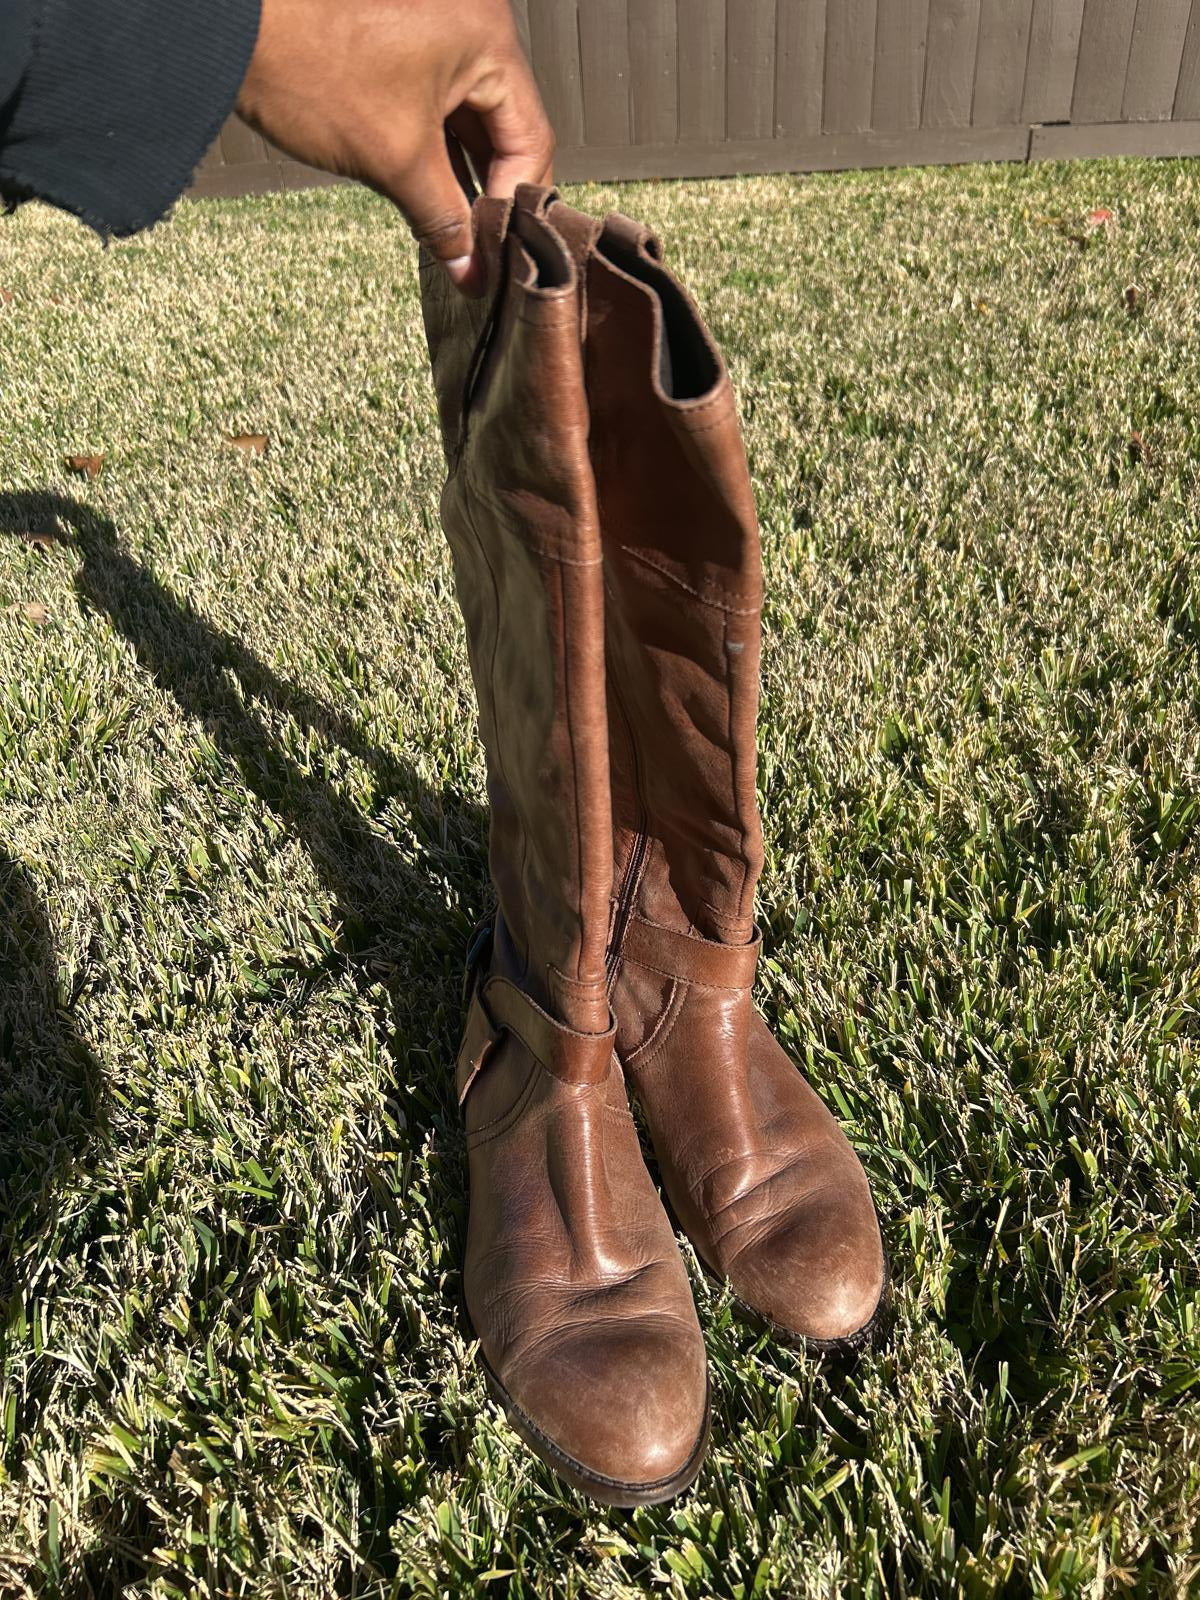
x=106, y=106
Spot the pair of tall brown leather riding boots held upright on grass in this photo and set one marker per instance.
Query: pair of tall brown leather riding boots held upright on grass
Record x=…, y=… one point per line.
x=606, y=551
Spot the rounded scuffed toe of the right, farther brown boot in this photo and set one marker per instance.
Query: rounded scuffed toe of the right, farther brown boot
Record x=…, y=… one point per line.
x=818, y=1273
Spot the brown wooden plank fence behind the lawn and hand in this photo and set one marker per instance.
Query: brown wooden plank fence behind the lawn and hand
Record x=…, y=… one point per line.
x=690, y=89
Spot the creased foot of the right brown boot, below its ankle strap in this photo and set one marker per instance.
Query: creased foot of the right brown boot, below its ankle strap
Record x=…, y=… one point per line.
x=759, y=1174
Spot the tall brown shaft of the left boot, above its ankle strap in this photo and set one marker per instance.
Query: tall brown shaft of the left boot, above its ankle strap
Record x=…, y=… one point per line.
x=519, y=511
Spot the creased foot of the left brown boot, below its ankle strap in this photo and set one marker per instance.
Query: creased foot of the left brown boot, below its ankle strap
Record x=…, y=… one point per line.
x=575, y=1286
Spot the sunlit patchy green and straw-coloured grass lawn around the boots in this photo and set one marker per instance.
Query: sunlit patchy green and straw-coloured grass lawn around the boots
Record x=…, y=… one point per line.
x=242, y=847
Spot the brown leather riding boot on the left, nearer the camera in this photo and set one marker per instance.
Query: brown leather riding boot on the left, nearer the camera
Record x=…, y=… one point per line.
x=574, y=1278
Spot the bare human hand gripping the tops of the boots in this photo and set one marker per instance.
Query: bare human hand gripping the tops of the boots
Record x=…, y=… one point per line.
x=382, y=90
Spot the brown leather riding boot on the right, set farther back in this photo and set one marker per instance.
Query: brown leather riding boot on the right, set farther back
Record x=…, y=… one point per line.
x=756, y=1169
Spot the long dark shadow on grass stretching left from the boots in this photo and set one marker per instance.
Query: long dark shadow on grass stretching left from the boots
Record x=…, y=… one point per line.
x=390, y=913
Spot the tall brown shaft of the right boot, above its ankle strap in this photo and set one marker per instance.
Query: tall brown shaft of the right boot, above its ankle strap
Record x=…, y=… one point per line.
x=682, y=588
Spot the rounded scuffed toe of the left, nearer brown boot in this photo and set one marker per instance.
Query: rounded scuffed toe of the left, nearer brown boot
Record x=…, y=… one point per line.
x=623, y=1412
